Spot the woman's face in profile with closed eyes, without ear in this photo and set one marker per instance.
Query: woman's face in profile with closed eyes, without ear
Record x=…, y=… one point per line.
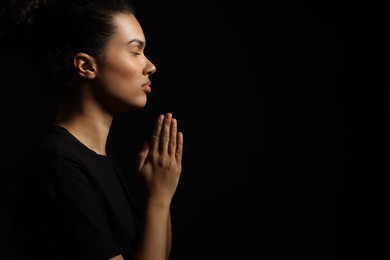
x=123, y=77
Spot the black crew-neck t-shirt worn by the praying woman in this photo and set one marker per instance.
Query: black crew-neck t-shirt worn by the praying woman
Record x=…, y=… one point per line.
x=73, y=203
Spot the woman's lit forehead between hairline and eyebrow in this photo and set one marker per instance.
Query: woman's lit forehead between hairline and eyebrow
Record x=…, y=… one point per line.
x=127, y=28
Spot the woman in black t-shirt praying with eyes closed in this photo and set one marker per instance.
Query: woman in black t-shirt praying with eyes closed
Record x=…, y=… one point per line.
x=72, y=202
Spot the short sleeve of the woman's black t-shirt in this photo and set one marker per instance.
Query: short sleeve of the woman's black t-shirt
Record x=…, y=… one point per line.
x=74, y=215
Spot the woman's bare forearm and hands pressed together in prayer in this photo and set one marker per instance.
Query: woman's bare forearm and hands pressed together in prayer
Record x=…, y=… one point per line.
x=159, y=168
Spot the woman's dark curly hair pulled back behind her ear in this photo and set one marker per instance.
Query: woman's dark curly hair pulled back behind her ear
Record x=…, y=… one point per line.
x=51, y=32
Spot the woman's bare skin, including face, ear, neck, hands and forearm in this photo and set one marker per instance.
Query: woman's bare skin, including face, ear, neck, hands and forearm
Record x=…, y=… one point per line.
x=119, y=84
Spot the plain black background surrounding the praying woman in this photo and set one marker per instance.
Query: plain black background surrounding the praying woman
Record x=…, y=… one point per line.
x=280, y=138
